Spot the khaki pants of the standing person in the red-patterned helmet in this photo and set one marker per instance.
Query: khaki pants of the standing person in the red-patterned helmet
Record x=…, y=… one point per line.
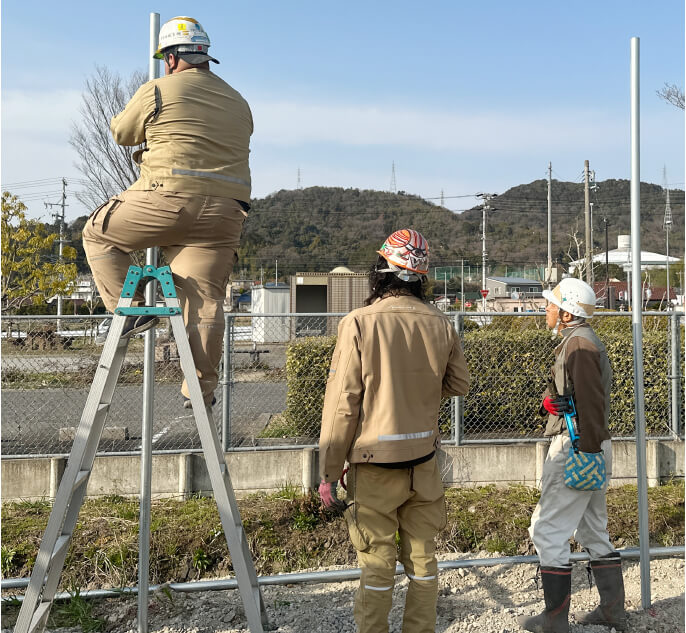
x=409, y=501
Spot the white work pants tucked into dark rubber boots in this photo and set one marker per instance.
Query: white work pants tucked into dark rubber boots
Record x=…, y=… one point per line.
x=563, y=512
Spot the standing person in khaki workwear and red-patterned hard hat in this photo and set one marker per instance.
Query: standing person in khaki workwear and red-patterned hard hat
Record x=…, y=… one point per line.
x=394, y=360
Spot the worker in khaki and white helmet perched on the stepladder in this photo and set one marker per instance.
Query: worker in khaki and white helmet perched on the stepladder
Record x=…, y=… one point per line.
x=191, y=198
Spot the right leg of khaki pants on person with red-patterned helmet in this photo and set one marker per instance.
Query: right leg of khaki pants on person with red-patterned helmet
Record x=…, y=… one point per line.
x=420, y=519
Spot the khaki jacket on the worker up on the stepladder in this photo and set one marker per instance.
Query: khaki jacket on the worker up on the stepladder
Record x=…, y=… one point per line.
x=197, y=132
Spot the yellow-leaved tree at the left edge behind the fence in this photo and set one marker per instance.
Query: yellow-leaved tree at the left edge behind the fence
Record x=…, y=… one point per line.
x=31, y=271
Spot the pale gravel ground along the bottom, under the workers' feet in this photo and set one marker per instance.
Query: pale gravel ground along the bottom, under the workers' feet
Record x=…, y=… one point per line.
x=483, y=600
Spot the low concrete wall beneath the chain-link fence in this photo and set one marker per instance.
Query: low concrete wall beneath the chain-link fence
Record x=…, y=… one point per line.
x=251, y=471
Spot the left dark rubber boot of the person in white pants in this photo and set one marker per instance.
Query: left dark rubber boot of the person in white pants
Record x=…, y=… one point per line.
x=557, y=590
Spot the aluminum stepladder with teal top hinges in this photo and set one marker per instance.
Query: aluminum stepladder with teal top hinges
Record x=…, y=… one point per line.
x=49, y=563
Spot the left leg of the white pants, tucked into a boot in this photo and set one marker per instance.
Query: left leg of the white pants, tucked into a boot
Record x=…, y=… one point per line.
x=559, y=509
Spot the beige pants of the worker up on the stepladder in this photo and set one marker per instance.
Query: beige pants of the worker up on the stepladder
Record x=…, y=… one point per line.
x=199, y=236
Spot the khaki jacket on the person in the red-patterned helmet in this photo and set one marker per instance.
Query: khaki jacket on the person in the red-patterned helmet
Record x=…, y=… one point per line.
x=393, y=362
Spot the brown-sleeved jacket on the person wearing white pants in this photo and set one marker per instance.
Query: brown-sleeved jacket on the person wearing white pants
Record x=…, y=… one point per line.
x=582, y=370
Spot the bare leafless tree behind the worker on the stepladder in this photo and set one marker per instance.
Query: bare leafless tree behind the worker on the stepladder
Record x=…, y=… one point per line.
x=107, y=167
